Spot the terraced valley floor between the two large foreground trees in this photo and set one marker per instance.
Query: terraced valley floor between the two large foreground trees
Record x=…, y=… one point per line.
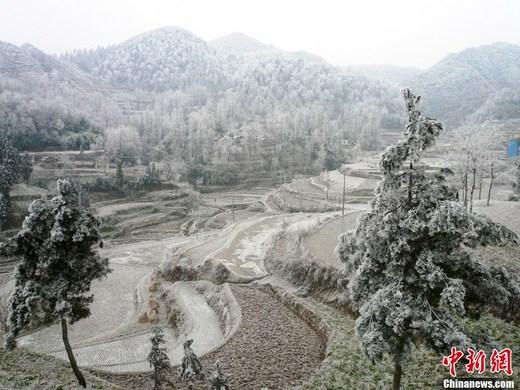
x=234, y=249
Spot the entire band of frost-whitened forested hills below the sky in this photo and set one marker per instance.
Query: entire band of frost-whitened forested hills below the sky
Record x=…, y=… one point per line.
x=211, y=103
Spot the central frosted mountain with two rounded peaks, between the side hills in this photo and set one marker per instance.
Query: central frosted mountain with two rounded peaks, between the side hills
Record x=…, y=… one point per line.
x=262, y=76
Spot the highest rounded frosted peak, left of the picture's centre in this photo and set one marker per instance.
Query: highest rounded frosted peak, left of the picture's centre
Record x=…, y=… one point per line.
x=159, y=60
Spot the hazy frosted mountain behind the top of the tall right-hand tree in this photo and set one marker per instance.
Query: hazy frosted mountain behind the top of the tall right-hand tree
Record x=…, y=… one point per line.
x=476, y=83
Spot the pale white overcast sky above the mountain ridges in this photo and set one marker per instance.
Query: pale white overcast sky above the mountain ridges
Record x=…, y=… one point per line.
x=401, y=32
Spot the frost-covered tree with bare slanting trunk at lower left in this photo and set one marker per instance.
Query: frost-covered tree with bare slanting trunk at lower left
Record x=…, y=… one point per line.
x=57, y=264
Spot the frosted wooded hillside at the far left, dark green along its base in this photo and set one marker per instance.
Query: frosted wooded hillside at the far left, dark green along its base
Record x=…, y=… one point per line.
x=48, y=103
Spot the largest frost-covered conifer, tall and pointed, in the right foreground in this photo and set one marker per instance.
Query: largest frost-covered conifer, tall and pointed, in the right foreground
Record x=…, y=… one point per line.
x=406, y=271
